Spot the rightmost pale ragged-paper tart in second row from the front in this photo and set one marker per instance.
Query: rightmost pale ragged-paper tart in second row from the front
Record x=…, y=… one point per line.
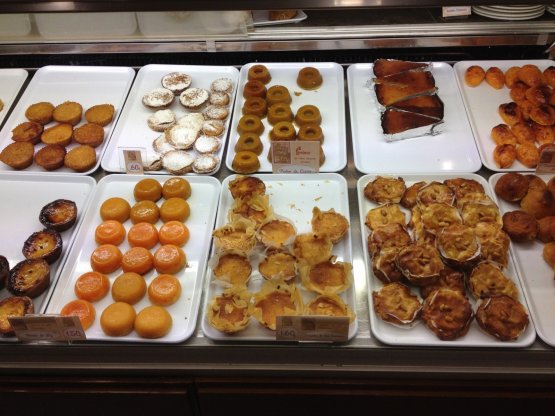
x=327, y=277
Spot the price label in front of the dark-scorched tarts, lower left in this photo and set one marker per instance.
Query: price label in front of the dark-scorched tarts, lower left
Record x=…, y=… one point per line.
x=47, y=328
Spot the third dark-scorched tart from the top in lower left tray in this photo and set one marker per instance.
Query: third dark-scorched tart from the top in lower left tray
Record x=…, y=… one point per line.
x=29, y=278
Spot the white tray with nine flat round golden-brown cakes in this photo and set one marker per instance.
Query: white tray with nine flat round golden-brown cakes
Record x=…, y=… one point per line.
x=64, y=119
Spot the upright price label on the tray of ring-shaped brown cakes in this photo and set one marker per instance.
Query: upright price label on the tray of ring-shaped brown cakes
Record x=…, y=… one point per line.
x=295, y=157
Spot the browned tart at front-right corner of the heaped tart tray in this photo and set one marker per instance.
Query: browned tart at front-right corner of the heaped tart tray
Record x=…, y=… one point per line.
x=503, y=317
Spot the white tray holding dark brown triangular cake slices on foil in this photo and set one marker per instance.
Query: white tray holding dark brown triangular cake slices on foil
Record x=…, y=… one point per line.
x=412, y=110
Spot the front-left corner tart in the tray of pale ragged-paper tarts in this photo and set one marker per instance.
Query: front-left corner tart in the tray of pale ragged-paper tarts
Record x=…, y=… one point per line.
x=229, y=311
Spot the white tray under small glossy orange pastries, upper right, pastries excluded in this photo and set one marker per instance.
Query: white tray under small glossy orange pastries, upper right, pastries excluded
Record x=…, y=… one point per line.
x=482, y=103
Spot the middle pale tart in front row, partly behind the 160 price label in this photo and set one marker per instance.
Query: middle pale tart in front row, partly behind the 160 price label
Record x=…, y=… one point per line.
x=276, y=298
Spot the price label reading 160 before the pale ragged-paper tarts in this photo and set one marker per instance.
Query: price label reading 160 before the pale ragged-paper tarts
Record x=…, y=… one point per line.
x=312, y=328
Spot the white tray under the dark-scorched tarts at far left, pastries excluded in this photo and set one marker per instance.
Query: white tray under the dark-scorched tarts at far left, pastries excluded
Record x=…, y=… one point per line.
x=23, y=197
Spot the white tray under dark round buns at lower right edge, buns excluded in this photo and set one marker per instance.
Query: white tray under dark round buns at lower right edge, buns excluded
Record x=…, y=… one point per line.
x=535, y=274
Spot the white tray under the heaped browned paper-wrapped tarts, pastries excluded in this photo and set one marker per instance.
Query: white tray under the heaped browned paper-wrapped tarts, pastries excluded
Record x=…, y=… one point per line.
x=420, y=335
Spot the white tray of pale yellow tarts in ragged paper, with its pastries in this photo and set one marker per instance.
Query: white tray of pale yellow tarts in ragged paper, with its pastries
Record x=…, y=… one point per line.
x=281, y=246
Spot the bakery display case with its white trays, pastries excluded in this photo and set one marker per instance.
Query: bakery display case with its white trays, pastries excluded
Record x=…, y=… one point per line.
x=96, y=52
